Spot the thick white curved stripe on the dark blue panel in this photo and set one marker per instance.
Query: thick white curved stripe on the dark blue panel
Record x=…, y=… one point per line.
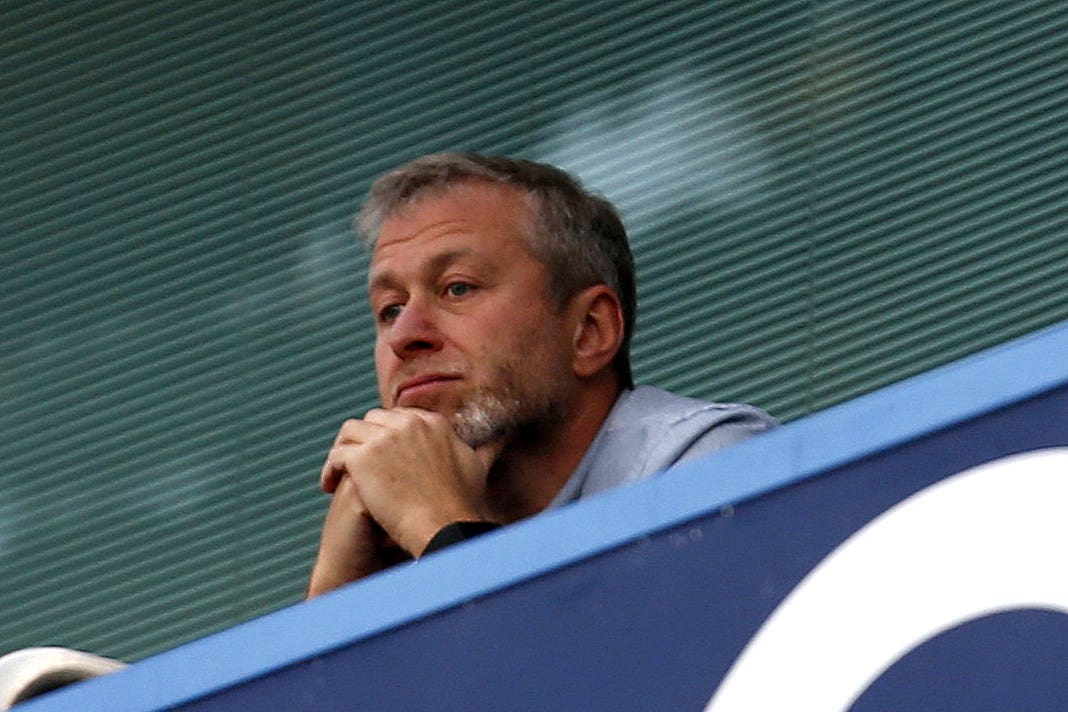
x=992, y=539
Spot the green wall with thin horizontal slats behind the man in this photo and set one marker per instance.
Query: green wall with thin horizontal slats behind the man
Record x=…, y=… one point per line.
x=825, y=198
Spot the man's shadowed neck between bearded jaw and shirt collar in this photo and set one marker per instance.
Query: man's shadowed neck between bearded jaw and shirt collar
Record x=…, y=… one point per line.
x=530, y=473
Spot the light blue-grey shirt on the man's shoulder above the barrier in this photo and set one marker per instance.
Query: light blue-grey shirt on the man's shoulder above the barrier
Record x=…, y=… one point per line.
x=649, y=431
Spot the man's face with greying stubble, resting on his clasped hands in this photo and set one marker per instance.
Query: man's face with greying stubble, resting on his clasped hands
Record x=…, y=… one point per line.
x=466, y=327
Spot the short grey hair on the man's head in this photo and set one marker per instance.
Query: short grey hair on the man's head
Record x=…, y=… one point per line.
x=578, y=235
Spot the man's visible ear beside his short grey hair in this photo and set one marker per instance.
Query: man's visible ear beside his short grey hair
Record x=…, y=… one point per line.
x=599, y=329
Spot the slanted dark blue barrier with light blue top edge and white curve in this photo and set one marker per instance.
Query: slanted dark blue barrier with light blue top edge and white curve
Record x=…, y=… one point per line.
x=902, y=551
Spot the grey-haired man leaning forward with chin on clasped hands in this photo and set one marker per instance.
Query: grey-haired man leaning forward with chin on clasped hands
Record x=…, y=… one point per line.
x=505, y=300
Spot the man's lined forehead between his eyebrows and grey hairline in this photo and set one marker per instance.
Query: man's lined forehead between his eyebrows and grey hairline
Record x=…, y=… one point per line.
x=476, y=216
